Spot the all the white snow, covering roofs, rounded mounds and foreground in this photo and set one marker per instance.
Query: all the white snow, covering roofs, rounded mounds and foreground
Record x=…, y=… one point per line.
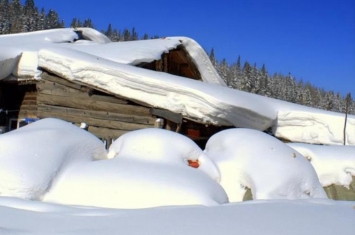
x=56, y=178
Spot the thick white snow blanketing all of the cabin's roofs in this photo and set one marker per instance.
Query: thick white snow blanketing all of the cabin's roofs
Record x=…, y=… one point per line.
x=109, y=66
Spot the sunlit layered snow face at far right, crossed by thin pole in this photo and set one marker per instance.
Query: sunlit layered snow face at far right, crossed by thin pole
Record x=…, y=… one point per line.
x=313, y=128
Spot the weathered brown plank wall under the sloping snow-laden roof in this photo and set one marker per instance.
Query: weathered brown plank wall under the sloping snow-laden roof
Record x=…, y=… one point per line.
x=108, y=117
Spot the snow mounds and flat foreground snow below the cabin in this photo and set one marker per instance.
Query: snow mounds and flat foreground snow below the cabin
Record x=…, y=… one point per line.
x=56, y=178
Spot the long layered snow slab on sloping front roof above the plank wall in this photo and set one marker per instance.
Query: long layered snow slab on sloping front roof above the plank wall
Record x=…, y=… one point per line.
x=193, y=99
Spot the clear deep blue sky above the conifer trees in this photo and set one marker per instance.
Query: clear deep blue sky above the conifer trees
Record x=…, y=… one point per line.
x=314, y=40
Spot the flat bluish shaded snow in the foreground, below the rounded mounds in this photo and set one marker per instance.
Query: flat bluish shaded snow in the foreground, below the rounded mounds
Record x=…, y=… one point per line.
x=276, y=217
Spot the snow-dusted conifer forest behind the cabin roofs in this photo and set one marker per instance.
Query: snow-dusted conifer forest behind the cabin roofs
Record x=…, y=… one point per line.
x=242, y=75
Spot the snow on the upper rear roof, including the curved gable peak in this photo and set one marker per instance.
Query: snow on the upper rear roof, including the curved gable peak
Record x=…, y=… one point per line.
x=14, y=46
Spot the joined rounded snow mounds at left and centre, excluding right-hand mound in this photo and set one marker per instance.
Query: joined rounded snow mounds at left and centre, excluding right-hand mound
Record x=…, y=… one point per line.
x=55, y=163
